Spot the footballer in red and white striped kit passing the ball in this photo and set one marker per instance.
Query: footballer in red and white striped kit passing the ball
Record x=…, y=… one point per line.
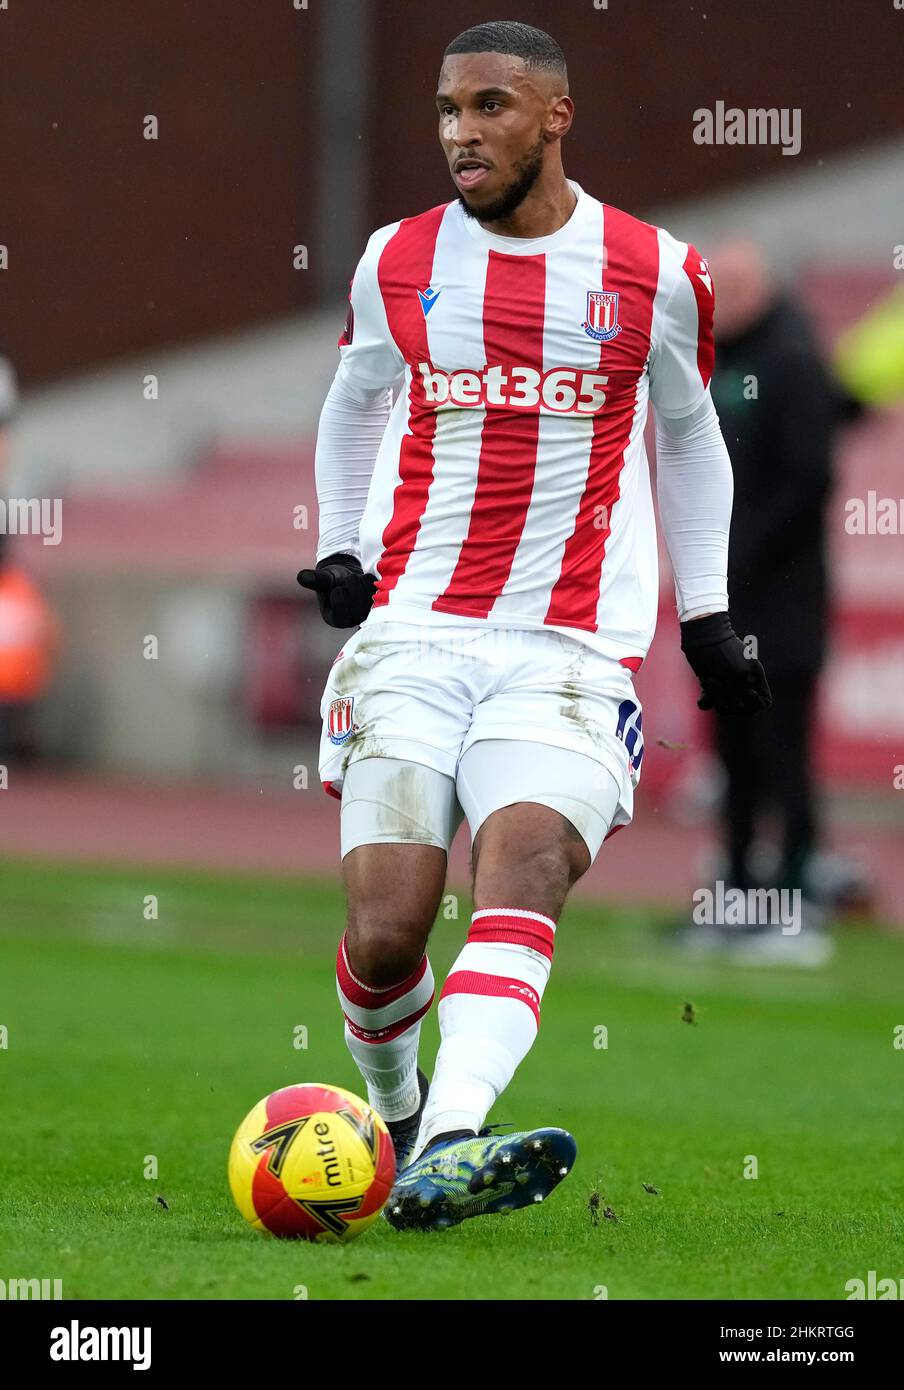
x=487, y=526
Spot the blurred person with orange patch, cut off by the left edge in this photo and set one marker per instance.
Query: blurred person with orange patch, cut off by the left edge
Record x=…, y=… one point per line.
x=29, y=628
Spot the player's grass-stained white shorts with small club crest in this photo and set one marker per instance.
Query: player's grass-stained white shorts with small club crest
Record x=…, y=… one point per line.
x=426, y=696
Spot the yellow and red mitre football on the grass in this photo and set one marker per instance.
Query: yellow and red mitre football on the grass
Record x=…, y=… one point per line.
x=312, y=1163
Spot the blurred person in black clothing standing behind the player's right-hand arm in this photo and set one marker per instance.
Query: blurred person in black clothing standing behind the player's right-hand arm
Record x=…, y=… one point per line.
x=781, y=409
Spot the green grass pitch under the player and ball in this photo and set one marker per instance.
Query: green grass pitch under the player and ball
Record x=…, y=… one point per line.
x=130, y=1038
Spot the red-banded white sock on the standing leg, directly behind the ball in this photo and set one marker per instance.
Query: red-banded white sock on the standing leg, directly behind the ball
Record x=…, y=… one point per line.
x=383, y=1031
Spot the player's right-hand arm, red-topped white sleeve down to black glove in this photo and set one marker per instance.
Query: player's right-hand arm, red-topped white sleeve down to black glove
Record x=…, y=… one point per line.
x=696, y=489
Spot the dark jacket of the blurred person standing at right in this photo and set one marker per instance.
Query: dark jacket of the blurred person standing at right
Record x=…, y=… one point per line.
x=780, y=411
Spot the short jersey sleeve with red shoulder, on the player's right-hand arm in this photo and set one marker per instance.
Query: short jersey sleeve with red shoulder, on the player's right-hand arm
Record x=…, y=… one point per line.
x=682, y=359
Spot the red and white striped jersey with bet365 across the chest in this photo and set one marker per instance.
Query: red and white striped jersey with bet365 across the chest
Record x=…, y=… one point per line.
x=511, y=486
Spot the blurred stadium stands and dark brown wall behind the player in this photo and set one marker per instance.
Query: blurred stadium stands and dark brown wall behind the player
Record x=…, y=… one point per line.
x=215, y=259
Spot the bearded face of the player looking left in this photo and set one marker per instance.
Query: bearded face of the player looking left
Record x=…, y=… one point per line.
x=492, y=130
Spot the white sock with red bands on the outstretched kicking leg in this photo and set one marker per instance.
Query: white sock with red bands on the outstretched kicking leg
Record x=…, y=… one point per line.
x=489, y=1017
